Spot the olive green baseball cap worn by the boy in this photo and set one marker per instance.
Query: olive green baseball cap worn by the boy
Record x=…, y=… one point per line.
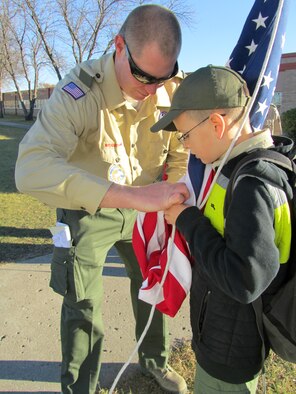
x=206, y=88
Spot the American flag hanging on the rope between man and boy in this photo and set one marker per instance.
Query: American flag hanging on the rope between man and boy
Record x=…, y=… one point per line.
x=151, y=233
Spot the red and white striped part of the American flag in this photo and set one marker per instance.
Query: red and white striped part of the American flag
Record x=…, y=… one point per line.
x=150, y=240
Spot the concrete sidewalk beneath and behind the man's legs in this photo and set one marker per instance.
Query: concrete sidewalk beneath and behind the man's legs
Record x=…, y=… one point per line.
x=29, y=326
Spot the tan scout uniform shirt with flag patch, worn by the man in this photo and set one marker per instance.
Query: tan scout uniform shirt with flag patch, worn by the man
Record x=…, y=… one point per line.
x=79, y=146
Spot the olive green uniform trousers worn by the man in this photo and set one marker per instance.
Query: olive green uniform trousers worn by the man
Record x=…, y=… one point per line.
x=76, y=273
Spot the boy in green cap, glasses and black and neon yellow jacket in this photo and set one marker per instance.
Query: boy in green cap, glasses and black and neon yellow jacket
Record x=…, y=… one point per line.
x=241, y=256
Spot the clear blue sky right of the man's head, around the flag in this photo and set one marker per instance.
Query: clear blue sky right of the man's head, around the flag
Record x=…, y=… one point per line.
x=217, y=27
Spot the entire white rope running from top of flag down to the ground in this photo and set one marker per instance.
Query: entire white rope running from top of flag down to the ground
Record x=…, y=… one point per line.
x=170, y=241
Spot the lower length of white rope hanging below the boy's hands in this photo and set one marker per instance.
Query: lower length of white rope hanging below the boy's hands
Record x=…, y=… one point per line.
x=169, y=249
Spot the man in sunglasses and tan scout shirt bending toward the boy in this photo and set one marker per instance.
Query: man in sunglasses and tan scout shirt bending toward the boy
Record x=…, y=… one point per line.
x=89, y=144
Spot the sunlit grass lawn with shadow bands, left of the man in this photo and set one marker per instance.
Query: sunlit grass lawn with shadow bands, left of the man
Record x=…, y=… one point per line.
x=23, y=220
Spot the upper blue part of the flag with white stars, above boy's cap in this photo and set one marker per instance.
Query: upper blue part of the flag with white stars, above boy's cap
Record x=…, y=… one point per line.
x=249, y=54
